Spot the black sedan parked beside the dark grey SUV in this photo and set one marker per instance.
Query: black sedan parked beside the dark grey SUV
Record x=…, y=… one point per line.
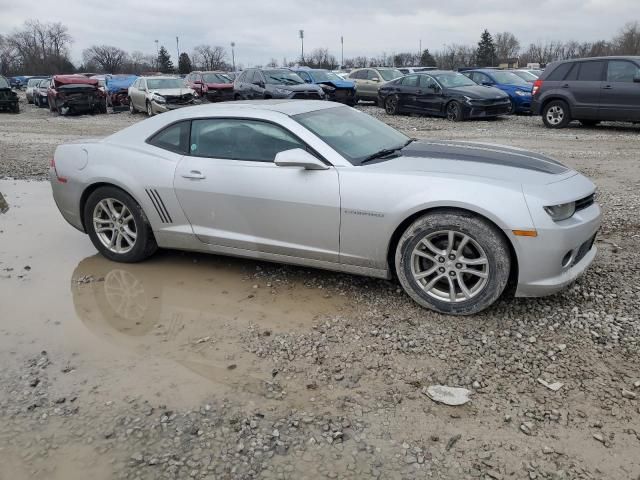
x=443, y=94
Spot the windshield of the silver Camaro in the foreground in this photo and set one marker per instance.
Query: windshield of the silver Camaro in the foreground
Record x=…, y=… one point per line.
x=353, y=134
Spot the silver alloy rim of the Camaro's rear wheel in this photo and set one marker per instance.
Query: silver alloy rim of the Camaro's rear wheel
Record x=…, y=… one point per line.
x=114, y=225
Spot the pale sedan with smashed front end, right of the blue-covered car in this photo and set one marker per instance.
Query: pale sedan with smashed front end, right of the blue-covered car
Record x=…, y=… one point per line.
x=159, y=94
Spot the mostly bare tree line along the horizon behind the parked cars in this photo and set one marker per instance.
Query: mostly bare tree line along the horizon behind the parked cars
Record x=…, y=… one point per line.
x=44, y=48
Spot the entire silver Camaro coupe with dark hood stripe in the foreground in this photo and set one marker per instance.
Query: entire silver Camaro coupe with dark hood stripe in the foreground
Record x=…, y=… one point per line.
x=323, y=185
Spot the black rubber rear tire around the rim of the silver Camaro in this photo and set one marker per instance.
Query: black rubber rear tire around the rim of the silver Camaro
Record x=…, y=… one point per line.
x=145, y=243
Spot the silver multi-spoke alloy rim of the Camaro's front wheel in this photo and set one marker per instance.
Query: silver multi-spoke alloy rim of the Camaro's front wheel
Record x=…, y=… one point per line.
x=450, y=266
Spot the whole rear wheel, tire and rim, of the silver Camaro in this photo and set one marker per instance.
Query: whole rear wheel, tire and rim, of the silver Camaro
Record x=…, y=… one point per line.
x=117, y=226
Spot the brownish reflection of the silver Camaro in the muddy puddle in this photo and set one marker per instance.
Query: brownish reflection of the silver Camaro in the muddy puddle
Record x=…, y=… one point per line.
x=194, y=310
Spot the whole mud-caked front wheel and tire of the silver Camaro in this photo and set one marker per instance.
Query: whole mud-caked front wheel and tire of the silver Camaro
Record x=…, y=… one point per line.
x=492, y=245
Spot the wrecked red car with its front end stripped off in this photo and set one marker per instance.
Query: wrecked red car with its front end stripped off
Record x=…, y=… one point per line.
x=70, y=94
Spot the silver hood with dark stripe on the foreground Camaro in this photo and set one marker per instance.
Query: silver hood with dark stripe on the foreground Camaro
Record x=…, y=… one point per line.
x=477, y=159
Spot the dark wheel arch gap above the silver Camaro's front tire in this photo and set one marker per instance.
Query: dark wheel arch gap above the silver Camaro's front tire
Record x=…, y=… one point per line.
x=402, y=227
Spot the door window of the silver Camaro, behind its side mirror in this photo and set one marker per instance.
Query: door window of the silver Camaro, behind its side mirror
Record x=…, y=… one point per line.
x=238, y=139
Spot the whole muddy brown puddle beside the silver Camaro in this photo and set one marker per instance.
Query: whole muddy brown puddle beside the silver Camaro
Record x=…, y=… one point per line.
x=169, y=328
